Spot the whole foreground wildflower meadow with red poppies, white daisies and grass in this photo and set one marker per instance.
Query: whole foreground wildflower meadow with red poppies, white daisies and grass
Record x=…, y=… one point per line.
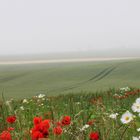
x=110, y=115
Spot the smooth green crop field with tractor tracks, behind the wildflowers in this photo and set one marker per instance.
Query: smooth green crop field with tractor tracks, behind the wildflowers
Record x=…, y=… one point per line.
x=26, y=80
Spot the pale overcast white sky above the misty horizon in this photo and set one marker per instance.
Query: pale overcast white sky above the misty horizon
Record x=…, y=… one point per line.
x=41, y=26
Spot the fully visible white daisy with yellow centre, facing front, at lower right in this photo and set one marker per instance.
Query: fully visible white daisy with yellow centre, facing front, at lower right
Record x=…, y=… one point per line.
x=126, y=117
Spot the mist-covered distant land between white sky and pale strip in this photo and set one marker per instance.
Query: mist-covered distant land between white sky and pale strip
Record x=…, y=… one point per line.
x=107, y=53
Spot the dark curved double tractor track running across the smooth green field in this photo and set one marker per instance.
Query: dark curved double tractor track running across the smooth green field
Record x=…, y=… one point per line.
x=95, y=78
